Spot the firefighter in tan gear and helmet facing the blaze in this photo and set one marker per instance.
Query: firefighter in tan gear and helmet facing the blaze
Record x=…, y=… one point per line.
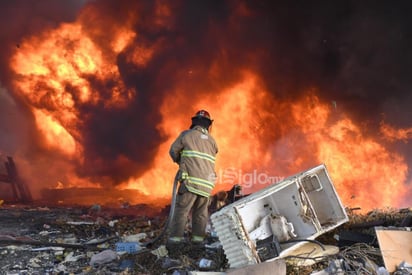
x=195, y=151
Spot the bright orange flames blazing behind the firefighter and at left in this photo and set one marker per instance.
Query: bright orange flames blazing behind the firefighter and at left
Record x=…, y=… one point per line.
x=257, y=133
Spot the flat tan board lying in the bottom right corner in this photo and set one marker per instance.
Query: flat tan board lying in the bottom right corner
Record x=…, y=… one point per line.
x=395, y=246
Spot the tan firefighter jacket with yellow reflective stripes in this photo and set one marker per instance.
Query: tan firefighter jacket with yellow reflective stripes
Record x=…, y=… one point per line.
x=195, y=151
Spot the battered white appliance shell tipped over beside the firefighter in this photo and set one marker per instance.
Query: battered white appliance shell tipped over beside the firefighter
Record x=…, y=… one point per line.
x=303, y=206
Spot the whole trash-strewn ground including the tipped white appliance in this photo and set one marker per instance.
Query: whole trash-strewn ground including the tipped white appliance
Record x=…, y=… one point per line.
x=297, y=226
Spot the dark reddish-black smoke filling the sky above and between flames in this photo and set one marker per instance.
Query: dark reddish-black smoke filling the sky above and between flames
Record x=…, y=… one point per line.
x=356, y=53
